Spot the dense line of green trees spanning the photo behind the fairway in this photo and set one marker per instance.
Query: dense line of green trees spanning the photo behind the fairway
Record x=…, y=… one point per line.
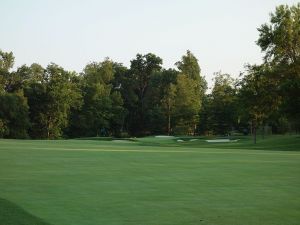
x=109, y=99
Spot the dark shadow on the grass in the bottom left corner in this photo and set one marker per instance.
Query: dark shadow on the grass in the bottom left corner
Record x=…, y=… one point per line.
x=12, y=214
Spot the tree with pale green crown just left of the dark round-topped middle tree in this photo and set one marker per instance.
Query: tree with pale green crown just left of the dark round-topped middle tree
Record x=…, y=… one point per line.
x=102, y=112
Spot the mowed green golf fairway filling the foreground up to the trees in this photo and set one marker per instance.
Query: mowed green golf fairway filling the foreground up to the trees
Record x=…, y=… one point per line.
x=150, y=181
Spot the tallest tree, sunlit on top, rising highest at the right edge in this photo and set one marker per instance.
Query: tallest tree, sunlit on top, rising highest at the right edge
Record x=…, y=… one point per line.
x=280, y=42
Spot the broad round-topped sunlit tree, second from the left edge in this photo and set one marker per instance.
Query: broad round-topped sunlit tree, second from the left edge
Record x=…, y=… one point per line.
x=51, y=101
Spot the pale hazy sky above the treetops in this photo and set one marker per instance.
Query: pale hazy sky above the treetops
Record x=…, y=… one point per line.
x=71, y=33
